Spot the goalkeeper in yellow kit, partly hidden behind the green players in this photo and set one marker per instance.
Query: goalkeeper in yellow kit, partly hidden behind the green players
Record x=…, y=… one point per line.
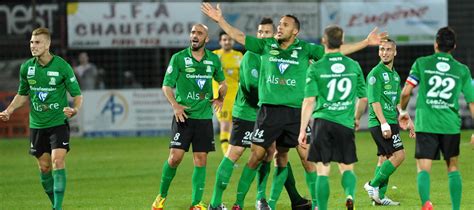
x=230, y=60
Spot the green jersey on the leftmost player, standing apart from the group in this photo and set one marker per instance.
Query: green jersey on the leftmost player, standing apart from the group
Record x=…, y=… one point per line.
x=46, y=87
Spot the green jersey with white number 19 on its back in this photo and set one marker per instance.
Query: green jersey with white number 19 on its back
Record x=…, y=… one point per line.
x=335, y=80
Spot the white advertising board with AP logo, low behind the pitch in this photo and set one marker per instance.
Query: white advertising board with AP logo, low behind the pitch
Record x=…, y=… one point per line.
x=126, y=113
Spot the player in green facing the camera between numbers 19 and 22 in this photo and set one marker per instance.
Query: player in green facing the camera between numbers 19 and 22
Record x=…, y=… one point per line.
x=383, y=93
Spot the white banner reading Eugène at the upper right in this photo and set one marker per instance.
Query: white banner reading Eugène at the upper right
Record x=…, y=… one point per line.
x=407, y=22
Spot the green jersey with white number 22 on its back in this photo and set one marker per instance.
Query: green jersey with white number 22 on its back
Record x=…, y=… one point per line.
x=440, y=80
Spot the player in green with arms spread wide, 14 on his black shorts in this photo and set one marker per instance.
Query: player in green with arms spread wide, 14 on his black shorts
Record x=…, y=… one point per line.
x=284, y=61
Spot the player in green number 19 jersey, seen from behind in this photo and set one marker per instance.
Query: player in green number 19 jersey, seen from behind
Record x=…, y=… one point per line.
x=333, y=83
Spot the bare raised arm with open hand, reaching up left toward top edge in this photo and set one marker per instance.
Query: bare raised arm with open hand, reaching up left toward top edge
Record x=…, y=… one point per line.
x=216, y=15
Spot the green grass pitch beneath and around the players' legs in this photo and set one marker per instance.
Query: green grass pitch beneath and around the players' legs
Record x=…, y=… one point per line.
x=124, y=173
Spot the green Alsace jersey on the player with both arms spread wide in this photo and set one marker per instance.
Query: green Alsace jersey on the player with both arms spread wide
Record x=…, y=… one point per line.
x=283, y=71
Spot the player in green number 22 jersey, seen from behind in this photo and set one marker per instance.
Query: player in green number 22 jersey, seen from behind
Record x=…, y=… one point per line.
x=440, y=80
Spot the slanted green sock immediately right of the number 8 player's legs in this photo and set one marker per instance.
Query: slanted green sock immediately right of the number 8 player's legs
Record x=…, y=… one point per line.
x=224, y=172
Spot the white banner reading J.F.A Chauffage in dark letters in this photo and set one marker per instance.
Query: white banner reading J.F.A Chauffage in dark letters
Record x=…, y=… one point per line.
x=130, y=24
